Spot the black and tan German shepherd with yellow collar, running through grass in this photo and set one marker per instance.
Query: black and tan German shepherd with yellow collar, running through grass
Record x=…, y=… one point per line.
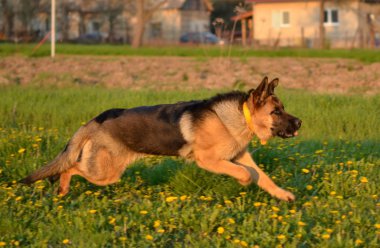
x=215, y=133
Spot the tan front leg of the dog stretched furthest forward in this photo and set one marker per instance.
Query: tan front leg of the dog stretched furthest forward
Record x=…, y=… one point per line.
x=262, y=180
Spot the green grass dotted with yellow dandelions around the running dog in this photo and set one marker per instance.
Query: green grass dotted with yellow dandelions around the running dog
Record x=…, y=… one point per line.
x=333, y=168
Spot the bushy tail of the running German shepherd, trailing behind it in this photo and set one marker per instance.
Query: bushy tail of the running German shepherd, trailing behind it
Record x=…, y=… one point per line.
x=65, y=159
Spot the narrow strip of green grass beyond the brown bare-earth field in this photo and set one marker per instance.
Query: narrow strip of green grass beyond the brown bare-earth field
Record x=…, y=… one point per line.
x=368, y=56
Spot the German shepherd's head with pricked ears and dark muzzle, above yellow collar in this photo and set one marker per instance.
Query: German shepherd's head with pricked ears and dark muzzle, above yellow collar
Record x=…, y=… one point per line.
x=268, y=114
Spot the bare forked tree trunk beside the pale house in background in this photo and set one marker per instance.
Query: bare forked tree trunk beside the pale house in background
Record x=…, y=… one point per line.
x=143, y=15
